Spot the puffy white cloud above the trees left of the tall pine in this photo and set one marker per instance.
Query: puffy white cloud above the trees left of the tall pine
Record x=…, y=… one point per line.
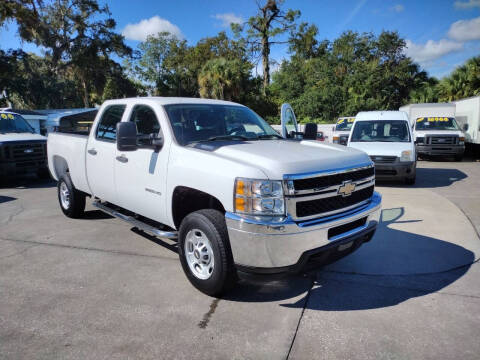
x=152, y=26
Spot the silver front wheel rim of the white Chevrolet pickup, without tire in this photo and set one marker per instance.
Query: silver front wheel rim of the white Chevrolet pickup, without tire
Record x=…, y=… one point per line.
x=199, y=254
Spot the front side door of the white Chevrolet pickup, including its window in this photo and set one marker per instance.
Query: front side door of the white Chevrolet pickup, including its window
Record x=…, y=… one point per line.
x=141, y=174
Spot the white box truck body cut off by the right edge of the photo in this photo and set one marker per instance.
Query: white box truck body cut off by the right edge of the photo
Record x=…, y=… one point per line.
x=468, y=116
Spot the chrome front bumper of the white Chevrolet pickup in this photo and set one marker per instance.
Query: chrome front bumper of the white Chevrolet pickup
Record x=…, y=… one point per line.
x=264, y=244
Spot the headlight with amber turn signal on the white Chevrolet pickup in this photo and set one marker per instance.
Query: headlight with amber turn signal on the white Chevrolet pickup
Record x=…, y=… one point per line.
x=259, y=197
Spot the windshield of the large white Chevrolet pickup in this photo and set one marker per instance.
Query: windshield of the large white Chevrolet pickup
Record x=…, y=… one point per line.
x=205, y=122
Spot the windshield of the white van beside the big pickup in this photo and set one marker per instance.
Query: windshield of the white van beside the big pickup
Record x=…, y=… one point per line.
x=381, y=131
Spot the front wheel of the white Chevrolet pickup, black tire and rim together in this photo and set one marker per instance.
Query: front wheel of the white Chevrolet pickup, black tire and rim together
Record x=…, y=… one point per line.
x=205, y=253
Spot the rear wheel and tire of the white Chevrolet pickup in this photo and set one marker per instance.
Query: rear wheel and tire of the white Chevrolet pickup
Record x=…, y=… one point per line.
x=74, y=207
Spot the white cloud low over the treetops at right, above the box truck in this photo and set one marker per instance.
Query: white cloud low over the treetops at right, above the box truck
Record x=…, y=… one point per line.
x=431, y=50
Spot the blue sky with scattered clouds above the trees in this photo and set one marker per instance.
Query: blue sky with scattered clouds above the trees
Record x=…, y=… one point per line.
x=441, y=34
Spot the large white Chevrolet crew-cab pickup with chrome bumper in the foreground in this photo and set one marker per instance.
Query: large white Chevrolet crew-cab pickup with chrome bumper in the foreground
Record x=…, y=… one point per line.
x=215, y=177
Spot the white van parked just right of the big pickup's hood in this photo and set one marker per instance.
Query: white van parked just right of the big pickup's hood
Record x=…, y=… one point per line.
x=387, y=138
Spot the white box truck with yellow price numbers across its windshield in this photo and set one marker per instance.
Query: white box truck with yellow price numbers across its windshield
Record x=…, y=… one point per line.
x=435, y=129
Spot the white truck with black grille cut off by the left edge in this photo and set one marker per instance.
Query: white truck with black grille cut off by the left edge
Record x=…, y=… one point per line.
x=22, y=151
